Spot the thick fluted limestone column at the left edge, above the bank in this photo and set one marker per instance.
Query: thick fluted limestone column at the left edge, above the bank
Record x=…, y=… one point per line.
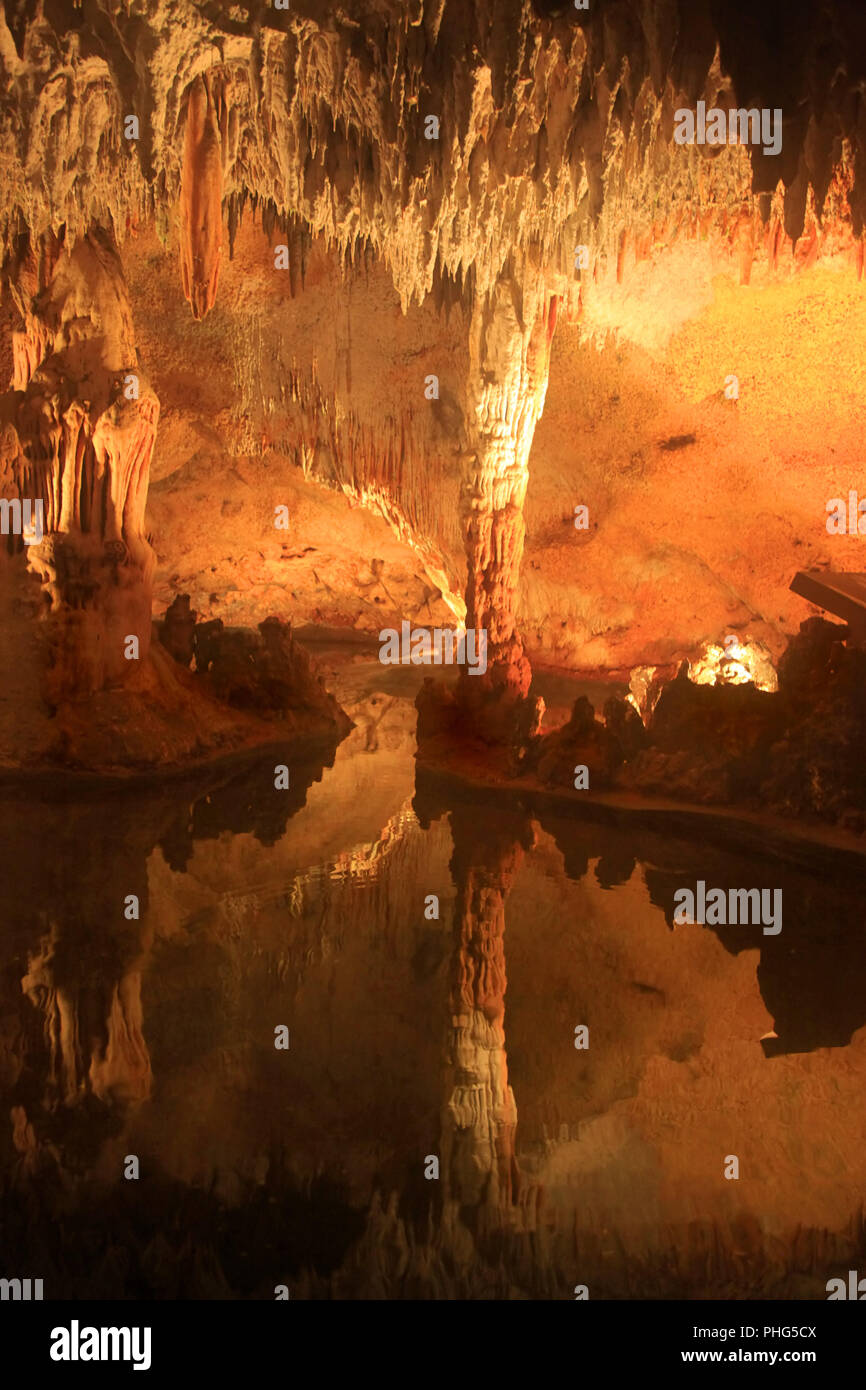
x=79, y=434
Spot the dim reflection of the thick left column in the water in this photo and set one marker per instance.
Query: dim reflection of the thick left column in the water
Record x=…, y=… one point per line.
x=80, y=1038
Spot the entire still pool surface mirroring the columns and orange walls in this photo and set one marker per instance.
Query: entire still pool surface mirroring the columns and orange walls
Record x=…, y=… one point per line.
x=154, y=1036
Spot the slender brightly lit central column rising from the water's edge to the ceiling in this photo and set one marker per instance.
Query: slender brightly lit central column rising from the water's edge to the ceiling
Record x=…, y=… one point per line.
x=509, y=352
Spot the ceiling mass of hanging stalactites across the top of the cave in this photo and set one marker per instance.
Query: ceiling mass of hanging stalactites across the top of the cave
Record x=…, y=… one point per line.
x=558, y=131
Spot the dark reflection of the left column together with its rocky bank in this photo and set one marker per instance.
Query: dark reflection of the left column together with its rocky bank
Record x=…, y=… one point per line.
x=76, y=1033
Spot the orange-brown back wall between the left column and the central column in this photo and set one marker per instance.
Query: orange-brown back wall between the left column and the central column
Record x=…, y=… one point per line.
x=315, y=401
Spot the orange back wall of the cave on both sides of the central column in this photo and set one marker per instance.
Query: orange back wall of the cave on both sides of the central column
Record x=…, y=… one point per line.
x=690, y=496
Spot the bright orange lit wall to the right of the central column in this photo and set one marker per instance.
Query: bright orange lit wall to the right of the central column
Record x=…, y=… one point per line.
x=701, y=508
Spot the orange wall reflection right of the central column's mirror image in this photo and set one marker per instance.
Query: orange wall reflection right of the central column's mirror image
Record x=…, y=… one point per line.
x=676, y=1075
